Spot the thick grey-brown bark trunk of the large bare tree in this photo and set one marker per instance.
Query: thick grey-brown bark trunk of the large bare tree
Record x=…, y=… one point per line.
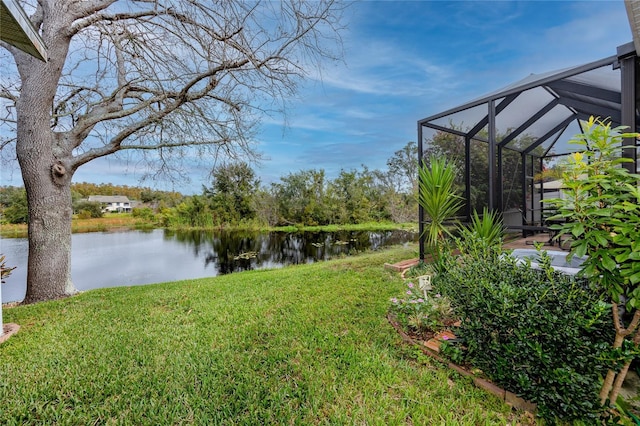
x=45, y=165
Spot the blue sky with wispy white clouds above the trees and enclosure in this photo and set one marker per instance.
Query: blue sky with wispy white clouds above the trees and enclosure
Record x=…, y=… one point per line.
x=404, y=61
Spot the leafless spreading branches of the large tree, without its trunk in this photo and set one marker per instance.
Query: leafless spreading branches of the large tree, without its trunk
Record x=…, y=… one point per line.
x=160, y=72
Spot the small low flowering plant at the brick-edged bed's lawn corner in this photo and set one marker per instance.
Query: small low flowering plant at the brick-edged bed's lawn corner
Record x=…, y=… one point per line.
x=422, y=315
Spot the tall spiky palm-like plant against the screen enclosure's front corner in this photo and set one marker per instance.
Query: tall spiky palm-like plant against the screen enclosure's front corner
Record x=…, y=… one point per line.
x=437, y=196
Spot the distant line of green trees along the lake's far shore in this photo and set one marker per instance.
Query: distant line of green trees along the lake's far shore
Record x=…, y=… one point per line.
x=236, y=196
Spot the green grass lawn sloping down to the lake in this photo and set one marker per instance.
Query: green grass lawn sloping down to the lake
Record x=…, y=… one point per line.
x=300, y=345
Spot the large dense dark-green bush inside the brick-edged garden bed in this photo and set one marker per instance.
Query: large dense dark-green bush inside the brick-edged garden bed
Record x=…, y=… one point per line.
x=540, y=334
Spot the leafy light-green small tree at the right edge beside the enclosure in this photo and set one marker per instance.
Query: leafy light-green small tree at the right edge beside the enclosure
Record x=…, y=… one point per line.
x=601, y=210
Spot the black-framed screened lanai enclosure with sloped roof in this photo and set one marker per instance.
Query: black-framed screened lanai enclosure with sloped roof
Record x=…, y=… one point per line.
x=508, y=142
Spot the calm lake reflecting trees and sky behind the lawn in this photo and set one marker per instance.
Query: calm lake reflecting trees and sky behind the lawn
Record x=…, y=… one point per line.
x=111, y=259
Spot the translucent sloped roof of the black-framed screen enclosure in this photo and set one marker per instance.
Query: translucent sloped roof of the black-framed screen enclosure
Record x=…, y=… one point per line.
x=539, y=107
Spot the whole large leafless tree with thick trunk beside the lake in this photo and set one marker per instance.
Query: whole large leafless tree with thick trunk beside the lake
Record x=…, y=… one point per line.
x=175, y=78
